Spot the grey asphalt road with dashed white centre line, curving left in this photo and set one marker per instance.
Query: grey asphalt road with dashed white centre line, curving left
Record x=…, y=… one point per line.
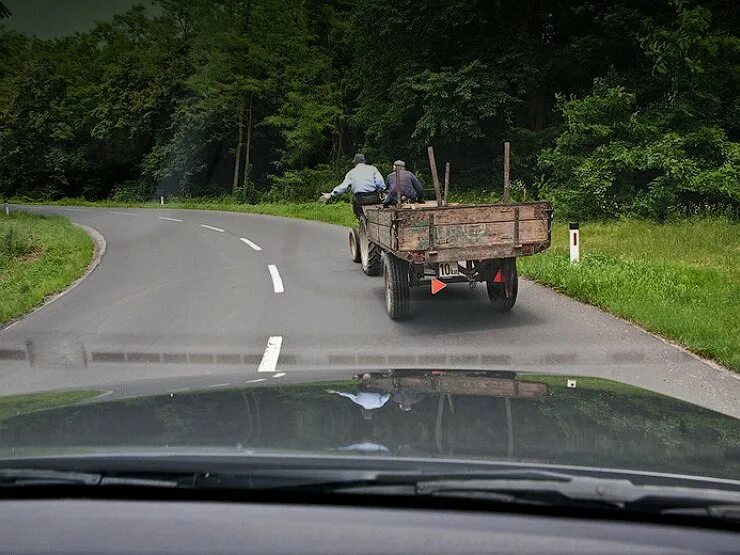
x=182, y=297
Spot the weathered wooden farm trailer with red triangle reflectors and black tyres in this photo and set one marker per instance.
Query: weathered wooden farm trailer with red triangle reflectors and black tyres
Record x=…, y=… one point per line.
x=434, y=244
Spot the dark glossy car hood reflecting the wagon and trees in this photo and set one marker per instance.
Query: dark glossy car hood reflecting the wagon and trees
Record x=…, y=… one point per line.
x=429, y=414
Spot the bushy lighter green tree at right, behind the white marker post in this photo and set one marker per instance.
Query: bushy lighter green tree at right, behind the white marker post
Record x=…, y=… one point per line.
x=663, y=151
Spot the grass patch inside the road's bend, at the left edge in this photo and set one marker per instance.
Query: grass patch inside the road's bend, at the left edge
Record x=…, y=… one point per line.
x=38, y=257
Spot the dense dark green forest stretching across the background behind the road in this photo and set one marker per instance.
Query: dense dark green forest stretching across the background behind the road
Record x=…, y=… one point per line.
x=615, y=106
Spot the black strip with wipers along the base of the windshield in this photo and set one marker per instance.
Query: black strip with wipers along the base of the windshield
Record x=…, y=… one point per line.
x=531, y=487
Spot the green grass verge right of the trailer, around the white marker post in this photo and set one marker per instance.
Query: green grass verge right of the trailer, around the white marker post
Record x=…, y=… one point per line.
x=679, y=279
